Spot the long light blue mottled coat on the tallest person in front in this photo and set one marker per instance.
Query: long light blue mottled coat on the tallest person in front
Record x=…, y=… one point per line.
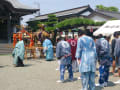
x=86, y=51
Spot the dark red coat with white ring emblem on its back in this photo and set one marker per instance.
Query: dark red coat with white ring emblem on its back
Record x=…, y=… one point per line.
x=73, y=44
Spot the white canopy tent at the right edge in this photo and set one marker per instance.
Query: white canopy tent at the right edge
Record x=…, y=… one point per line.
x=108, y=28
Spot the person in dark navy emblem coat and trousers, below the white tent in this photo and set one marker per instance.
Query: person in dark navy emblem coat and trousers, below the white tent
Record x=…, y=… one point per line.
x=103, y=52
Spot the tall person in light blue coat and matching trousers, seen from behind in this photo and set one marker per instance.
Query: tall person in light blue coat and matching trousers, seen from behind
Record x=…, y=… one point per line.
x=86, y=56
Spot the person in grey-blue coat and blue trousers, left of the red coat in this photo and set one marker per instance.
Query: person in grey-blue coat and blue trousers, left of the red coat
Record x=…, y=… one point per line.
x=63, y=53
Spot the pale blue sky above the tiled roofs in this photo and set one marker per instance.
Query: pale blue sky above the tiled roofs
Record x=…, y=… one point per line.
x=48, y=6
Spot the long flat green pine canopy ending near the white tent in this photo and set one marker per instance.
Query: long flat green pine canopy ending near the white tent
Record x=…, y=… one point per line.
x=76, y=22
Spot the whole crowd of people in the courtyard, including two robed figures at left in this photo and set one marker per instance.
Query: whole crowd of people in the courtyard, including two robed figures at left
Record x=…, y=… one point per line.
x=81, y=54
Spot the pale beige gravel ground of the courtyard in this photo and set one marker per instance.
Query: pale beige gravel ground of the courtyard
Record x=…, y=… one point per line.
x=39, y=74
